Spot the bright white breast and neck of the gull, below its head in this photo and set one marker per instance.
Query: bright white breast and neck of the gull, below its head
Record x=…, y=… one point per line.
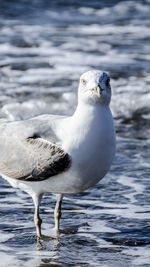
x=90, y=140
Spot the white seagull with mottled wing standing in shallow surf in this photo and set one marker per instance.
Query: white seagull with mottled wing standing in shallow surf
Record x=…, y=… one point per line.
x=60, y=154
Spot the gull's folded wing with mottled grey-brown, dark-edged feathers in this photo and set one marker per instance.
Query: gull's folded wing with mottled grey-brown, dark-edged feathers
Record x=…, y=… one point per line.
x=33, y=159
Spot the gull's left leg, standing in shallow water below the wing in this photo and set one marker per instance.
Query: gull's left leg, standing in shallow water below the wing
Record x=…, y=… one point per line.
x=37, y=219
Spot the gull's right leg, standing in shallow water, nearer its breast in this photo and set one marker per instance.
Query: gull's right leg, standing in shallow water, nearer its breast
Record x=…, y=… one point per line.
x=57, y=212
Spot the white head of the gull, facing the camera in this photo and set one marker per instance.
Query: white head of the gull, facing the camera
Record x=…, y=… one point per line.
x=94, y=88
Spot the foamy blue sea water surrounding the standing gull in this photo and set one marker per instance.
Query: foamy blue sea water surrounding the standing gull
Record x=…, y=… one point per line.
x=44, y=48
